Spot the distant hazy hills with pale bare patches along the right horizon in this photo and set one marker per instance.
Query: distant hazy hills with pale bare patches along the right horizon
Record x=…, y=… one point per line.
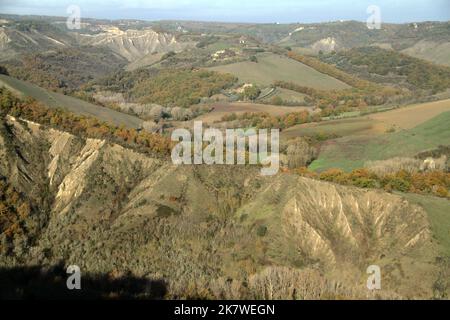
x=420, y=37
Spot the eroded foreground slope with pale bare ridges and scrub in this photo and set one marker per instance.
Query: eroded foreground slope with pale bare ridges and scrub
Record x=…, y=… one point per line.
x=115, y=210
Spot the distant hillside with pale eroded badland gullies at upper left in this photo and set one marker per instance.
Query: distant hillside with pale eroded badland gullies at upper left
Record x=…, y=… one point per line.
x=131, y=41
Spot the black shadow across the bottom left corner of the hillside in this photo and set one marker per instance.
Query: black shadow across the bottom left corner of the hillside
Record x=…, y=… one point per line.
x=50, y=283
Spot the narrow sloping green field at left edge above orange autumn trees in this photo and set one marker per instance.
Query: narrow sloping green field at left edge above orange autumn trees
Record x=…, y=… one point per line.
x=57, y=100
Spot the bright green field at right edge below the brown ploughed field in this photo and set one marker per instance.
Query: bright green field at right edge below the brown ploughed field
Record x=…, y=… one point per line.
x=352, y=152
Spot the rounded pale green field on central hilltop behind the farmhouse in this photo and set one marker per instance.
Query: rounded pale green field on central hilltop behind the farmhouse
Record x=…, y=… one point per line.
x=271, y=68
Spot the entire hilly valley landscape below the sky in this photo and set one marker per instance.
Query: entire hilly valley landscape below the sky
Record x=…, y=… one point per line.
x=87, y=178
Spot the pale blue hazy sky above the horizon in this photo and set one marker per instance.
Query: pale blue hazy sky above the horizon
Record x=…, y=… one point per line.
x=238, y=10
